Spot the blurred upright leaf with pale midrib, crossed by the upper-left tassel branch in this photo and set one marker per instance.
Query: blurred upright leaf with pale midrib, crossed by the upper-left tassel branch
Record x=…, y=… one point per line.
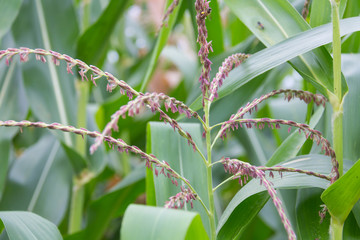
x=49, y=89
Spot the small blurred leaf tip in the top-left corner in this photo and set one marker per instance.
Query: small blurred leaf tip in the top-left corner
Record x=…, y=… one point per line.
x=8, y=12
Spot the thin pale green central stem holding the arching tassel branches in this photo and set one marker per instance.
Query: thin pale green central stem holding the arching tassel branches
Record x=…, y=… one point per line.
x=209, y=172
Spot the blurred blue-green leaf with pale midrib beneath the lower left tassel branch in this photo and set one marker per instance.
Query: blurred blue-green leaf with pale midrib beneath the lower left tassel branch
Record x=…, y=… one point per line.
x=39, y=181
